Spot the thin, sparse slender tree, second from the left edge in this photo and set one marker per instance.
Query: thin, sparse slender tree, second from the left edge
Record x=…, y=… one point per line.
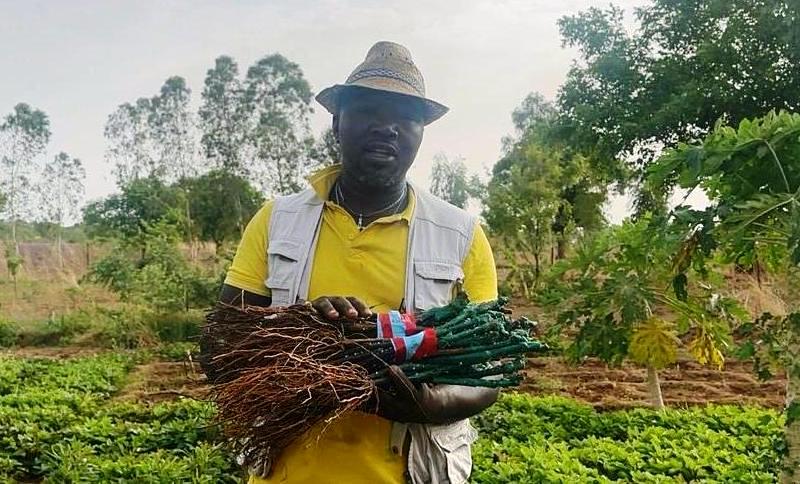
x=62, y=194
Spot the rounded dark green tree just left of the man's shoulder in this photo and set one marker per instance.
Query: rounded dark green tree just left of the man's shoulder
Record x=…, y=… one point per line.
x=218, y=217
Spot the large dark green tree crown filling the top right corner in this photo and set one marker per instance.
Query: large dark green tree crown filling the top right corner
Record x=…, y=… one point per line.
x=687, y=64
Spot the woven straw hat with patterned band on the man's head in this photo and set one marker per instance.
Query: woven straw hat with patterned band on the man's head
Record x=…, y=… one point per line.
x=388, y=67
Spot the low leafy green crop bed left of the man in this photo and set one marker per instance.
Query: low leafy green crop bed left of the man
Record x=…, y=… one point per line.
x=56, y=423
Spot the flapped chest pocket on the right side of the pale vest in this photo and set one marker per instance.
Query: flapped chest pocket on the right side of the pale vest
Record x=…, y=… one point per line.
x=434, y=283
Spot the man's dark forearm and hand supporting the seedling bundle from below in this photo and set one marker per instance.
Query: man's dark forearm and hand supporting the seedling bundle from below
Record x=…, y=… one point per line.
x=430, y=404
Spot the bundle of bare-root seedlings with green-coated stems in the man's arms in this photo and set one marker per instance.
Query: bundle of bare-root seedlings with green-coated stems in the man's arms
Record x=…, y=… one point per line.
x=278, y=372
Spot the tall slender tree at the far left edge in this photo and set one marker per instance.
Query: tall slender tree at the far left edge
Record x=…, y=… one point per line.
x=24, y=135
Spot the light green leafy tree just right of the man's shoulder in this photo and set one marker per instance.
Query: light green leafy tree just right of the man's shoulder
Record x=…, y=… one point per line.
x=542, y=193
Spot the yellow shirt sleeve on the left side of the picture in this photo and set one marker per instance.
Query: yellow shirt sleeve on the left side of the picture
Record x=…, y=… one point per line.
x=248, y=270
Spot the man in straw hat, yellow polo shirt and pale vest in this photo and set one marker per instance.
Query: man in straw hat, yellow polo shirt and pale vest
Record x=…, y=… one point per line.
x=363, y=239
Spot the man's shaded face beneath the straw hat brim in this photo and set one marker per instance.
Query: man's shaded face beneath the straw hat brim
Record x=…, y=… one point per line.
x=379, y=135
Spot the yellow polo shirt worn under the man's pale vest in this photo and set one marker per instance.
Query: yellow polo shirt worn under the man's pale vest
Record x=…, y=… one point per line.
x=368, y=264
